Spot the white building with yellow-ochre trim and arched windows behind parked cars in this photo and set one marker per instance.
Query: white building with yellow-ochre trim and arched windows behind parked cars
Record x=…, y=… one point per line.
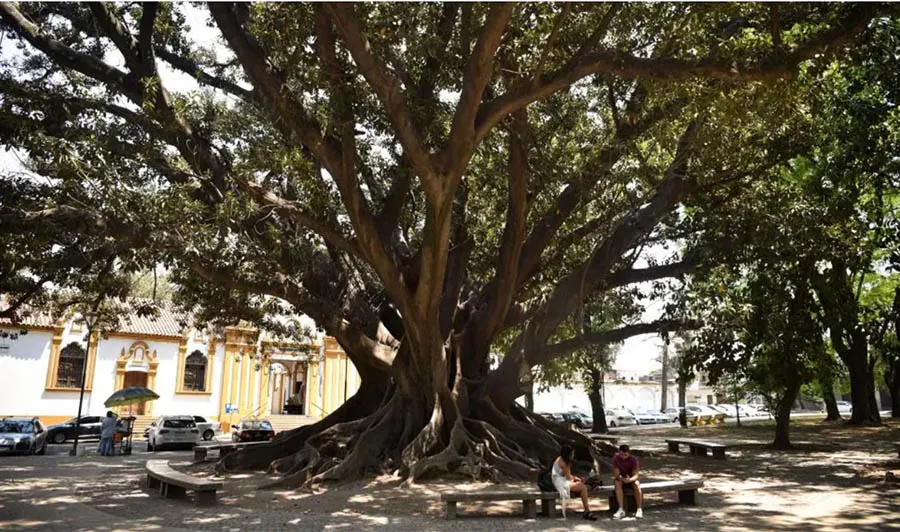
x=225, y=375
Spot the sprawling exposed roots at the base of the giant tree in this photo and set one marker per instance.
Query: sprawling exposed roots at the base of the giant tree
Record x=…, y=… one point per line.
x=512, y=444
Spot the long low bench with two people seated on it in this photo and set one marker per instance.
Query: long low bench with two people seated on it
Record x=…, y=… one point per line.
x=687, y=494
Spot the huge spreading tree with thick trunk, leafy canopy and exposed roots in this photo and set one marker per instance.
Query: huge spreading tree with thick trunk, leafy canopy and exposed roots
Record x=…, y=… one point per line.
x=429, y=176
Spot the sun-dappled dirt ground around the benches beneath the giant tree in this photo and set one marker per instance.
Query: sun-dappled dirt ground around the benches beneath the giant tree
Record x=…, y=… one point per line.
x=834, y=480
